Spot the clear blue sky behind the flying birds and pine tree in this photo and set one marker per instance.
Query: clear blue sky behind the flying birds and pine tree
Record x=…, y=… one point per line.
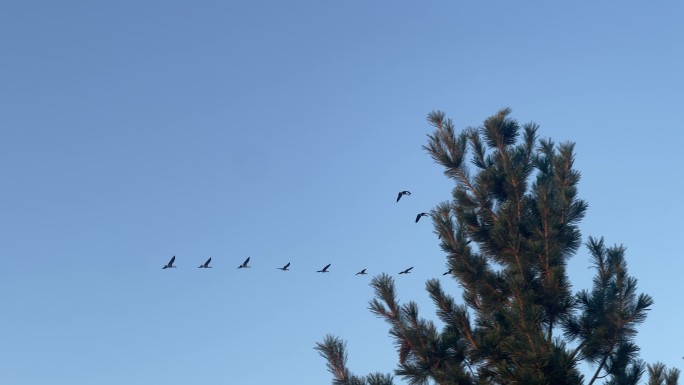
x=132, y=131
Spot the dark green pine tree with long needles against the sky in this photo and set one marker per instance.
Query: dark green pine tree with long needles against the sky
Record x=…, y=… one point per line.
x=508, y=233
